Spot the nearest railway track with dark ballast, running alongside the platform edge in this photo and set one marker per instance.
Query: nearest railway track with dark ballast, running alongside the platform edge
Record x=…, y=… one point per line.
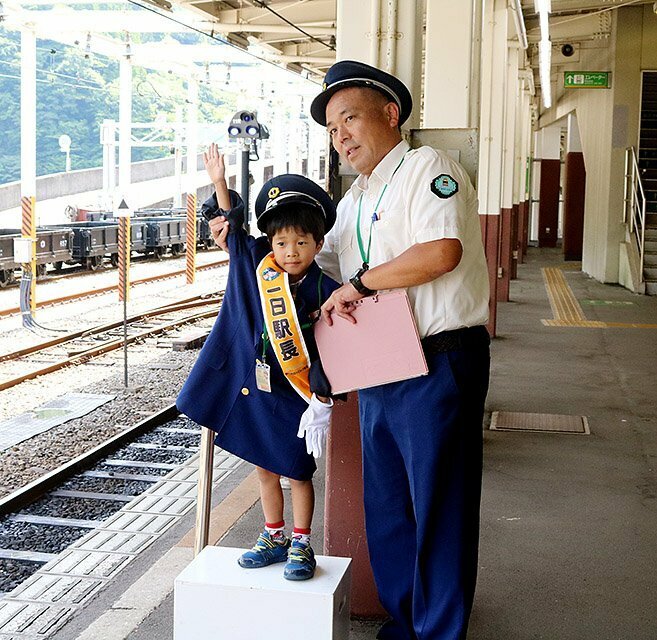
x=40, y=520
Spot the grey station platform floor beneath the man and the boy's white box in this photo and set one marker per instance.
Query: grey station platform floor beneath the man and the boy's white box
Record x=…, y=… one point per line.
x=569, y=508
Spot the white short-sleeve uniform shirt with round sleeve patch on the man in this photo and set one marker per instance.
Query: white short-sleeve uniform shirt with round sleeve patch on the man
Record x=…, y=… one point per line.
x=428, y=197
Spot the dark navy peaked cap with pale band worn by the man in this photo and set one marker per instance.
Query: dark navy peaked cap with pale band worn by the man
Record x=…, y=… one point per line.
x=349, y=73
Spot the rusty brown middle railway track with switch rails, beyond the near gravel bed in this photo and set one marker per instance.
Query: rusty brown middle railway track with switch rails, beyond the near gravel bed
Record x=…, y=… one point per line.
x=81, y=346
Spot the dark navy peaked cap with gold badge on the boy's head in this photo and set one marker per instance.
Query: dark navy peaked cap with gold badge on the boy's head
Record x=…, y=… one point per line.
x=290, y=188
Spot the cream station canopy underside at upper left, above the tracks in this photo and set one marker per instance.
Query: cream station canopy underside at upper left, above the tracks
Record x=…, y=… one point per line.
x=297, y=36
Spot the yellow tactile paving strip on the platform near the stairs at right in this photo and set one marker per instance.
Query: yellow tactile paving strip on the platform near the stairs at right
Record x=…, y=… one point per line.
x=566, y=309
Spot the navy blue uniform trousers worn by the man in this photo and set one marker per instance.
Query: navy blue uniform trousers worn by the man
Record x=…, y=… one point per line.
x=422, y=467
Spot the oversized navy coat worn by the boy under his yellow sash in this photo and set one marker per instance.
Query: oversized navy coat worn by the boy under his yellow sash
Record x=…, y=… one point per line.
x=221, y=391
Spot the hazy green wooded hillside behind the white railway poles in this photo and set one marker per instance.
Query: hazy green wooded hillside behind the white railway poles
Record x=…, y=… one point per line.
x=75, y=93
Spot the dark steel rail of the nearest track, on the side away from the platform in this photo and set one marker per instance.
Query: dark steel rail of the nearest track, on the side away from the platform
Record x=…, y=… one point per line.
x=35, y=489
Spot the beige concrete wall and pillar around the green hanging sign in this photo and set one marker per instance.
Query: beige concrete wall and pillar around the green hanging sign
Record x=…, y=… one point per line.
x=609, y=121
